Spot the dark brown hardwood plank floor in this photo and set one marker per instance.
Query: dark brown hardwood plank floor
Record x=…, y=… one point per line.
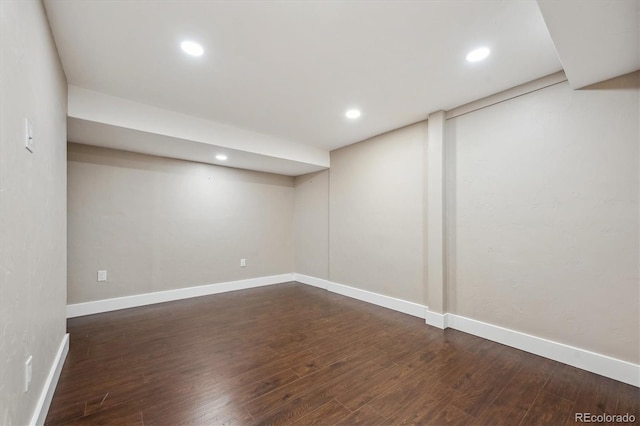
x=292, y=353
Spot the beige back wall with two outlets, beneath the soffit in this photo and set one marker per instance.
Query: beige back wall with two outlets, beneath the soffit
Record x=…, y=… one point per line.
x=157, y=224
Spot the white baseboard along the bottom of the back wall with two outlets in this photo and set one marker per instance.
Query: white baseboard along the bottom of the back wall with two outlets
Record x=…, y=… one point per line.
x=107, y=305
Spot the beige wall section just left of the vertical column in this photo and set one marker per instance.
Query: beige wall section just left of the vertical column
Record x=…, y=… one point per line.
x=376, y=214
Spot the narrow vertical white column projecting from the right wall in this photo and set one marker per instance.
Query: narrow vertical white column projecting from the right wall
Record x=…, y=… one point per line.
x=435, y=226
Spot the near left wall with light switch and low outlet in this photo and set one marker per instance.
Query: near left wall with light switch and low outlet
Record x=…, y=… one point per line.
x=32, y=206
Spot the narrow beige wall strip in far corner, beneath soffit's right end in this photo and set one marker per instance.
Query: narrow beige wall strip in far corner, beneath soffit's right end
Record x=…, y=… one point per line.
x=311, y=224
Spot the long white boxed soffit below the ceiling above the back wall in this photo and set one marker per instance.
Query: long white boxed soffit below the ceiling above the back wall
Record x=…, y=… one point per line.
x=95, y=117
